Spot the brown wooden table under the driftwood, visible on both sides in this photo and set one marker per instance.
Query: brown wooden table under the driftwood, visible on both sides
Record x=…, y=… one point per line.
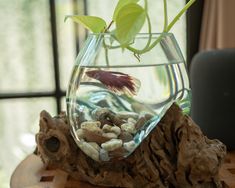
x=31, y=173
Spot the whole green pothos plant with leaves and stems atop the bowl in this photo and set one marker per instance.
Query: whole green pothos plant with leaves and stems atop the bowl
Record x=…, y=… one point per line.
x=129, y=17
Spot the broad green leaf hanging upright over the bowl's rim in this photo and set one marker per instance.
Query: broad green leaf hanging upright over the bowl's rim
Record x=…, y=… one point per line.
x=130, y=20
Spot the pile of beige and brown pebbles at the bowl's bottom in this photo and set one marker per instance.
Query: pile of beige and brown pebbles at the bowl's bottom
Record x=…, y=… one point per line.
x=110, y=135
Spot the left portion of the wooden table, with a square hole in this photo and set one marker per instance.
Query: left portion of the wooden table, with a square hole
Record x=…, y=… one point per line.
x=31, y=173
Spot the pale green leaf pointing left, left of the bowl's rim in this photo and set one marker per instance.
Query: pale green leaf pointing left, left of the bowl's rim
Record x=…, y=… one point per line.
x=93, y=23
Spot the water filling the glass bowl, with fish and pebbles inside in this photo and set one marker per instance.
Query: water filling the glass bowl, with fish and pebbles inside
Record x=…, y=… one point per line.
x=112, y=109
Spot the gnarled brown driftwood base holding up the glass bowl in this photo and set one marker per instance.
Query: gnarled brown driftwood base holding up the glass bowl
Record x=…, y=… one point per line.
x=175, y=154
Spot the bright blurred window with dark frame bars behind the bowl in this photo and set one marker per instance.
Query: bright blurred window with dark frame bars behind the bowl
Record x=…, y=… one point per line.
x=37, y=53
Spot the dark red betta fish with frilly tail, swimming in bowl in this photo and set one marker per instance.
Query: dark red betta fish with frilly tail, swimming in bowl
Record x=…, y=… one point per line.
x=117, y=82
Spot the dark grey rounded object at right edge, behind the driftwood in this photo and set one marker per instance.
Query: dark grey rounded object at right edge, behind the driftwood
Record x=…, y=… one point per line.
x=212, y=78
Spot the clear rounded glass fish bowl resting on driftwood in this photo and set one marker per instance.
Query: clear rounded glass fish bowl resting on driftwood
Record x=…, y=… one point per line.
x=116, y=98
